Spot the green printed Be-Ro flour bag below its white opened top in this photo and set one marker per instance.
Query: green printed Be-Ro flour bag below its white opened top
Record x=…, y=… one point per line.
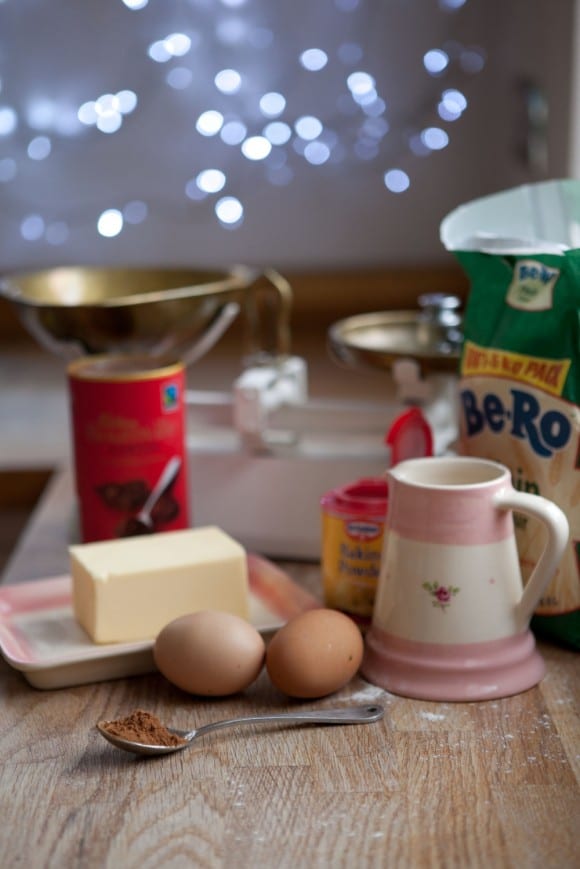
x=519, y=395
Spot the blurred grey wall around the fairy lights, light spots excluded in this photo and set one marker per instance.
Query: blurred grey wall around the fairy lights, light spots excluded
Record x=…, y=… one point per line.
x=334, y=215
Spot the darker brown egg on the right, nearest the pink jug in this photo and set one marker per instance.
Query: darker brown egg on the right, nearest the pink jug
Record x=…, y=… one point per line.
x=315, y=654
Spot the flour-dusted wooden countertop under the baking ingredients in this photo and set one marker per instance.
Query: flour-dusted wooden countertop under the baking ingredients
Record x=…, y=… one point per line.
x=493, y=784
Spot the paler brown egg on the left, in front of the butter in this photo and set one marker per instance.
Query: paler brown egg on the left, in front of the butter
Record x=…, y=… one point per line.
x=210, y=653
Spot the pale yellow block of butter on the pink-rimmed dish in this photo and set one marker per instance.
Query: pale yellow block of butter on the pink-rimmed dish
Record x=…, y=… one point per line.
x=128, y=589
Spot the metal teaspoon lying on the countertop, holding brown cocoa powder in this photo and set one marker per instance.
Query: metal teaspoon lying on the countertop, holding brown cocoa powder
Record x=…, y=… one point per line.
x=343, y=715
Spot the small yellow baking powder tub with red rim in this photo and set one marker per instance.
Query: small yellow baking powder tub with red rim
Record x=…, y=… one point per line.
x=353, y=520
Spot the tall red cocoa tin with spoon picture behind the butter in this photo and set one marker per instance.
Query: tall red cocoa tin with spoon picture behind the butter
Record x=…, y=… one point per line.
x=128, y=426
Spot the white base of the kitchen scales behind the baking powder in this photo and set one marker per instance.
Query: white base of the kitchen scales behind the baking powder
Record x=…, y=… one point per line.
x=261, y=458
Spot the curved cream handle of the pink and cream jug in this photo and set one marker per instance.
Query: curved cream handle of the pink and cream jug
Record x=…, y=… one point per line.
x=556, y=524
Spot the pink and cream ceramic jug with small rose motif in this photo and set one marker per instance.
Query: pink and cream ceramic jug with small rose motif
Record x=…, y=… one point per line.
x=451, y=615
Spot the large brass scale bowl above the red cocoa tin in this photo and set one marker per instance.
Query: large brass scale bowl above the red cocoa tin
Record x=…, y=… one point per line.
x=74, y=311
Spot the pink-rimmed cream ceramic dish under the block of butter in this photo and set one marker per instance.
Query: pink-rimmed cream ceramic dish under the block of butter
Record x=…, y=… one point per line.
x=40, y=637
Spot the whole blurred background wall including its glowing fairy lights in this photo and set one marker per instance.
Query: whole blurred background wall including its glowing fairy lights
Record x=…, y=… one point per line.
x=305, y=133
